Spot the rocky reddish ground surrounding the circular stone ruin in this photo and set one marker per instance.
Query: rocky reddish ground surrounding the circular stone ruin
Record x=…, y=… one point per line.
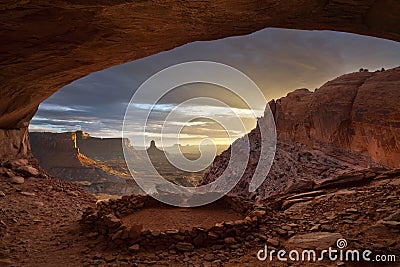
x=39, y=225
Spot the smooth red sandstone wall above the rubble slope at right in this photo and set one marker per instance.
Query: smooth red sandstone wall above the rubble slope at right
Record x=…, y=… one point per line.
x=359, y=112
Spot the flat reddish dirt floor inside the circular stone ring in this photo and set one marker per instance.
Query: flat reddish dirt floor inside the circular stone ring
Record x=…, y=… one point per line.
x=163, y=218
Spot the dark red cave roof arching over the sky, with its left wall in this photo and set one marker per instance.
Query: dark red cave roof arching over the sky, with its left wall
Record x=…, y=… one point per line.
x=48, y=45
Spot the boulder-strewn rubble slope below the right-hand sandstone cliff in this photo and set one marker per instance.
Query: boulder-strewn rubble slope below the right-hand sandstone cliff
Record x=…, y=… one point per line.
x=296, y=166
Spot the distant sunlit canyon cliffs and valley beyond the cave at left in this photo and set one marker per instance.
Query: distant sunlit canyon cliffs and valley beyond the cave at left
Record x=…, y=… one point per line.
x=99, y=163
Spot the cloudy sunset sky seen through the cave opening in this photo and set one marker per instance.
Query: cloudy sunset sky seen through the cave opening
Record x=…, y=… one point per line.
x=277, y=60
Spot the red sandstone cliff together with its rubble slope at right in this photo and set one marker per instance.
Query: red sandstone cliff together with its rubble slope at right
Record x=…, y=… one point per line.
x=350, y=124
